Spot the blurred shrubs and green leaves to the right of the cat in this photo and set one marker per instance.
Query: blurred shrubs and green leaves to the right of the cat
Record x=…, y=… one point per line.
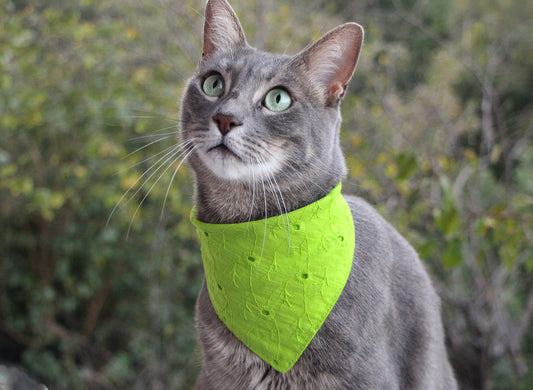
x=449, y=160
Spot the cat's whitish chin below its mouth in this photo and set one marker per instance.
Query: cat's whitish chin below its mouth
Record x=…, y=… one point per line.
x=227, y=165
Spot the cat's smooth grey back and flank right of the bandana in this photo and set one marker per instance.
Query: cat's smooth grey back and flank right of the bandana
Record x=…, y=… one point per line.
x=390, y=288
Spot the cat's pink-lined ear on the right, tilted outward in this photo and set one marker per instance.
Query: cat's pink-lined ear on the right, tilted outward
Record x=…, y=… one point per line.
x=330, y=62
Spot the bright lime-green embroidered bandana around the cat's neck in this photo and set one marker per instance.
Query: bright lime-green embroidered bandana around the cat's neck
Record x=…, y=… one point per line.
x=274, y=299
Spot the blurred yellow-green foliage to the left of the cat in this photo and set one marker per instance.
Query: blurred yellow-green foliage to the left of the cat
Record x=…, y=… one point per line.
x=82, y=302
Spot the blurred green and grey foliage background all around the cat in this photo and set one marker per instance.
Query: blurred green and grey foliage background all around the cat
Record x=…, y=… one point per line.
x=437, y=133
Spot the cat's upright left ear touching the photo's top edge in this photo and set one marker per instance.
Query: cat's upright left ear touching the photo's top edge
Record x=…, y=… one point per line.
x=222, y=29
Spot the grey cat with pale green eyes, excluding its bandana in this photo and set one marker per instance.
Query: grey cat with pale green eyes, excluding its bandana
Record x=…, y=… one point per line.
x=262, y=133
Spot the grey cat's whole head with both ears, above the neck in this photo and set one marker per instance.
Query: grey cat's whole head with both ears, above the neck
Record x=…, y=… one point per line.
x=256, y=117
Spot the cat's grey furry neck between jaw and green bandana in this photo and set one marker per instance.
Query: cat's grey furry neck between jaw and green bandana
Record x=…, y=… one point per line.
x=226, y=201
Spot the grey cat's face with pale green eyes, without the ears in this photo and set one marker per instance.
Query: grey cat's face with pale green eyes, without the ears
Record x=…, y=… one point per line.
x=253, y=115
